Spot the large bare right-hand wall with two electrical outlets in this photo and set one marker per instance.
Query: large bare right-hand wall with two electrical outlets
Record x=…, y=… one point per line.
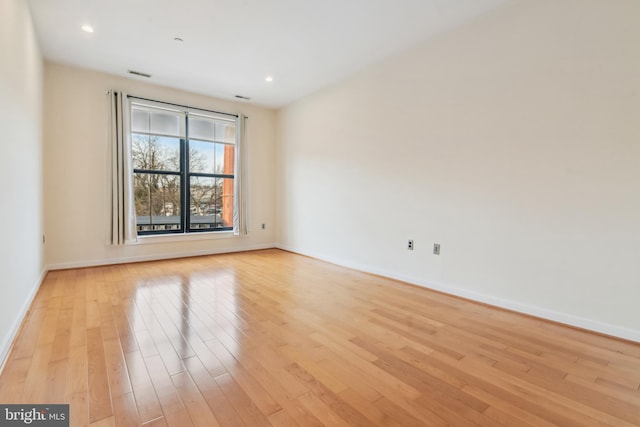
x=513, y=141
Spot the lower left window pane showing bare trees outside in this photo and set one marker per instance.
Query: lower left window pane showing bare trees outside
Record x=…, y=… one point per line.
x=157, y=201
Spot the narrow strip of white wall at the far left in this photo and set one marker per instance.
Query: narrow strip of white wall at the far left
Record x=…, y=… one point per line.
x=20, y=167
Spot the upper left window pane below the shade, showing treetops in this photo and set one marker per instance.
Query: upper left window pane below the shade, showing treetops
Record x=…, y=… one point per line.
x=152, y=152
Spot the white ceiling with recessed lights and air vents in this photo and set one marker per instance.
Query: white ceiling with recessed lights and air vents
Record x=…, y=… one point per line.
x=229, y=47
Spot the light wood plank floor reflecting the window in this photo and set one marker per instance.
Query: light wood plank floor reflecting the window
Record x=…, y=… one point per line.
x=271, y=338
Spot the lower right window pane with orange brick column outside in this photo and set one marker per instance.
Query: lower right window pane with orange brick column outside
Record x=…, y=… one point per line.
x=211, y=203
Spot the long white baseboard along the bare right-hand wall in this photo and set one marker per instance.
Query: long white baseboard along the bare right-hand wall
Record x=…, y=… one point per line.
x=543, y=313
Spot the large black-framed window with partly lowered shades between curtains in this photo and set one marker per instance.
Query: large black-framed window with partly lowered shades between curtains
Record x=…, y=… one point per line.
x=183, y=169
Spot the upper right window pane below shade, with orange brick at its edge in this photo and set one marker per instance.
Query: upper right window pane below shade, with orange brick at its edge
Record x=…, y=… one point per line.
x=211, y=157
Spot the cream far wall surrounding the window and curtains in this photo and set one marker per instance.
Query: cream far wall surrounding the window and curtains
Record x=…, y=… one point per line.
x=76, y=170
